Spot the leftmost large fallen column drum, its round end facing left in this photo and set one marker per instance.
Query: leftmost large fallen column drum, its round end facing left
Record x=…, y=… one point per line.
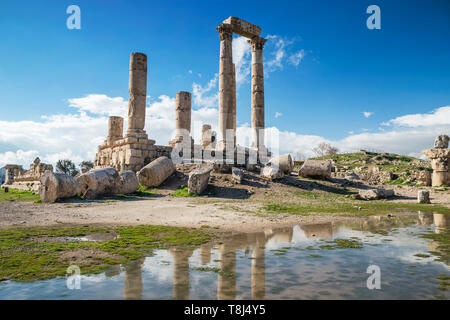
x=56, y=186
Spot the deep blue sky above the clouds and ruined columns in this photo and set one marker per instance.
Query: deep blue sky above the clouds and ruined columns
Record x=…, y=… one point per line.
x=346, y=69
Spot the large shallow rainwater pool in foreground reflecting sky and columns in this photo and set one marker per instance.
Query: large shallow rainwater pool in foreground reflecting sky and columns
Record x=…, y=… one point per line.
x=295, y=274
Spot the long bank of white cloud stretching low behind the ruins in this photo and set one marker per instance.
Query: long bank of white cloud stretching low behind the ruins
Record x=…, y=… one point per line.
x=76, y=136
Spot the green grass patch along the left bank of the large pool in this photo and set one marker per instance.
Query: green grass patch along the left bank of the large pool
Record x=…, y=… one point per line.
x=24, y=258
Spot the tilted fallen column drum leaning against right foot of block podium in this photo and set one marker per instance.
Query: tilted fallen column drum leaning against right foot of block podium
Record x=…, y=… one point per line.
x=156, y=172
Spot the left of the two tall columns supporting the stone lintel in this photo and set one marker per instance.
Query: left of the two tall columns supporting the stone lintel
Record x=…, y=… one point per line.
x=225, y=83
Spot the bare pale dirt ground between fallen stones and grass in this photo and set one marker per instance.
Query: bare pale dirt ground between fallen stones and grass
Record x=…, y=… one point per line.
x=225, y=205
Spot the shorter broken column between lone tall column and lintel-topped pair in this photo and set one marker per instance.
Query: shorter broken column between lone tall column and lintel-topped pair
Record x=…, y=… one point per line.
x=182, y=118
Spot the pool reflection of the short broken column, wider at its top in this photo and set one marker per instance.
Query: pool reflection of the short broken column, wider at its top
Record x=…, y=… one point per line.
x=180, y=272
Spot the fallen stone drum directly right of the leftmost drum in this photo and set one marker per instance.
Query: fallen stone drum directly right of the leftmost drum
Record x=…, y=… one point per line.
x=105, y=181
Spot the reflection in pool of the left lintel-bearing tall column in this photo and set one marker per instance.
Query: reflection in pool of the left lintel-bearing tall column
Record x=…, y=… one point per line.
x=226, y=283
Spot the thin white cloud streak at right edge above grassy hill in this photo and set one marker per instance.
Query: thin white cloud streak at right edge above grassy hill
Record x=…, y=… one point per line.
x=438, y=117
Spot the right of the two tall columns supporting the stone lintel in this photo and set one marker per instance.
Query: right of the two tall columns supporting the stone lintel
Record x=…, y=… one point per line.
x=257, y=44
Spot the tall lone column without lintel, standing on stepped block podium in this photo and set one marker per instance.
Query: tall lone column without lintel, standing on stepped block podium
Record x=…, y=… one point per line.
x=138, y=95
